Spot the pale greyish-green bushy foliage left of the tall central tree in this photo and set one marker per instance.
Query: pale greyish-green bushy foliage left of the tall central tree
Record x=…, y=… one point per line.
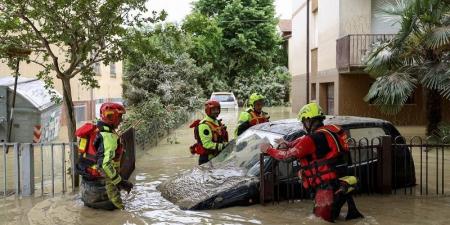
x=160, y=82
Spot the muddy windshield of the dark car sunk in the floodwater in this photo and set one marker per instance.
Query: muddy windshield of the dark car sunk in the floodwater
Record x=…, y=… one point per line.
x=244, y=152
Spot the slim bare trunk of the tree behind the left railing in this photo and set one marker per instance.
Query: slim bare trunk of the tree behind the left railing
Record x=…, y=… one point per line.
x=68, y=103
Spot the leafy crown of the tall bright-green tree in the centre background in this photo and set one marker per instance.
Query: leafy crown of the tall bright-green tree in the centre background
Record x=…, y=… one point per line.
x=248, y=44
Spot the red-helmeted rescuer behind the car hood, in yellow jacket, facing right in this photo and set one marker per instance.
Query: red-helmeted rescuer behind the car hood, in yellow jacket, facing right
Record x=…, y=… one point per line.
x=210, y=133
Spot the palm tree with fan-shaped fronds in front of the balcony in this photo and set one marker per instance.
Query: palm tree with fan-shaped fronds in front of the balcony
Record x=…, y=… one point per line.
x=418, y=56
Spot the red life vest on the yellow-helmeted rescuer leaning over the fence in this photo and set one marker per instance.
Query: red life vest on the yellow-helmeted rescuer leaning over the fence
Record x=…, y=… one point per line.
x=331, y=149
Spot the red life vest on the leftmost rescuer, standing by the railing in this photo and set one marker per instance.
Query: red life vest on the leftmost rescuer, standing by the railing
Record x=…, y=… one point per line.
x=88, y=152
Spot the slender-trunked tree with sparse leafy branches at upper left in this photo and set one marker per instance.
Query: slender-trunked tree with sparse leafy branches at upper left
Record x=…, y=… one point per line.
x=68, y=36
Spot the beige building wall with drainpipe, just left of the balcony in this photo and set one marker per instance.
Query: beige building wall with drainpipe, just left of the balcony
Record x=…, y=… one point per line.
x=324, y=30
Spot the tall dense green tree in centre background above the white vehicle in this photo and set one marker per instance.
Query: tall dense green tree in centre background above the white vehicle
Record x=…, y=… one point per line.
x=237, y=39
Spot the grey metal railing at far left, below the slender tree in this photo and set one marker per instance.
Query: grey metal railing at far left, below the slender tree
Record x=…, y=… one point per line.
x=37, y=160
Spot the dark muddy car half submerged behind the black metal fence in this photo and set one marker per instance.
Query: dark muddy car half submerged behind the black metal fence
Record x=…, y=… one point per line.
x=232, y=178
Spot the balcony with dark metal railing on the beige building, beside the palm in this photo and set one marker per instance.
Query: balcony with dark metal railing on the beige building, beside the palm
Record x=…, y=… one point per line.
x=351, y=50
